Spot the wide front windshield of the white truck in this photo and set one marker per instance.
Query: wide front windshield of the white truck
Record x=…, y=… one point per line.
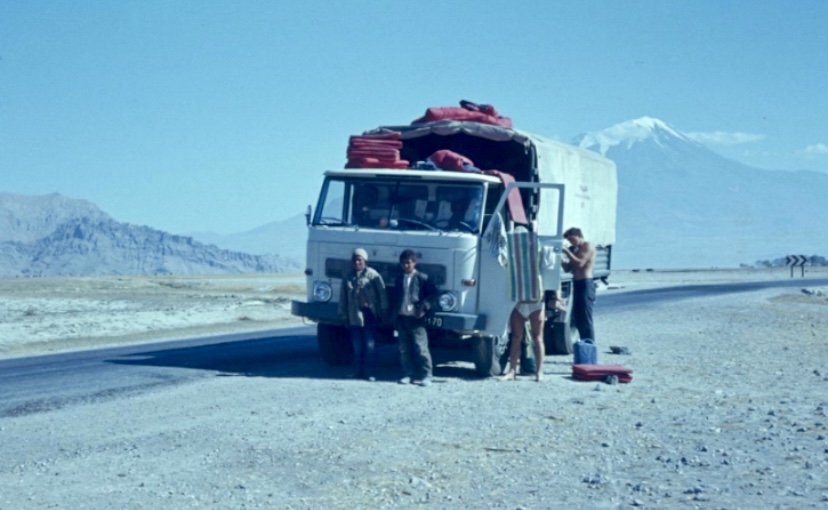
x=401, y=205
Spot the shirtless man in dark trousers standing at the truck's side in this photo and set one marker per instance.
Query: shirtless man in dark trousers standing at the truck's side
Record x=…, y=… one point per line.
x=581, y=261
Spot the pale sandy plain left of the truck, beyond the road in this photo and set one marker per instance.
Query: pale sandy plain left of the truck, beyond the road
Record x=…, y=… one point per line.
x=43, y=315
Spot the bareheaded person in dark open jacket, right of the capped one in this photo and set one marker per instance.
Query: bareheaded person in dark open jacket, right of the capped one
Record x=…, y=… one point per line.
x=413, y=292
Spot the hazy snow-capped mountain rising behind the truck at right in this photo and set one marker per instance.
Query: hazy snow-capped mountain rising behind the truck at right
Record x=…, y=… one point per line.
x=681, y=205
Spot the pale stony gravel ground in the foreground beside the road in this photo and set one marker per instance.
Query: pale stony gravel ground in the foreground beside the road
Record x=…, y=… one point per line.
x=727, y=409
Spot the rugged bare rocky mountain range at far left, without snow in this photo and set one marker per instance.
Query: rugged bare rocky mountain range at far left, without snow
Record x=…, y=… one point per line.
x=52, y=235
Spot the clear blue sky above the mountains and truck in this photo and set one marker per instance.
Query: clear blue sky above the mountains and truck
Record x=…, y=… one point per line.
x=221, y=116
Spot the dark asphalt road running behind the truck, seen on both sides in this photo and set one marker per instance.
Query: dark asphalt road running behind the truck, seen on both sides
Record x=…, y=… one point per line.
x=41, y=383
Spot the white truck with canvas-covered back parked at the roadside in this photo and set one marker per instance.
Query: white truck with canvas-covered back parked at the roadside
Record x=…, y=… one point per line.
x=386, y=211
